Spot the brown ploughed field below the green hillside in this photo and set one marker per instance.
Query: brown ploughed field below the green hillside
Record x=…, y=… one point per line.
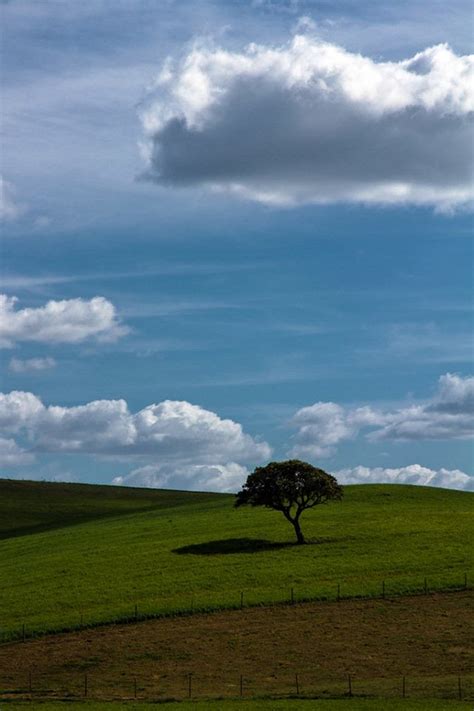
x=426, y=639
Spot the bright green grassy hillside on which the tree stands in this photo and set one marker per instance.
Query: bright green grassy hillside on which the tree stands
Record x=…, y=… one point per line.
x=170, y=551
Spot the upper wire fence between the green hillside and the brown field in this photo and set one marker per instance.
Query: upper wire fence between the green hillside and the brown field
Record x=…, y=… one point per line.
x=242, y=599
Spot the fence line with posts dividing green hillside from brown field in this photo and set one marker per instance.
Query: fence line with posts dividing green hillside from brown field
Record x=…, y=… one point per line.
x=135, y=615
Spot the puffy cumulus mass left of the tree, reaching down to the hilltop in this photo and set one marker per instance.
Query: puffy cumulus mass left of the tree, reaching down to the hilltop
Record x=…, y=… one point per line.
x=179, y=444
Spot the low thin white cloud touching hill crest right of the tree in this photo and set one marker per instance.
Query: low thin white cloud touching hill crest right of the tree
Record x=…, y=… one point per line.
x=412, y=474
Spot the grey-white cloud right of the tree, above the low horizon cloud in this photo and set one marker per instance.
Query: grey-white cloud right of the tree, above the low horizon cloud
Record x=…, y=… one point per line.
x=449, y=415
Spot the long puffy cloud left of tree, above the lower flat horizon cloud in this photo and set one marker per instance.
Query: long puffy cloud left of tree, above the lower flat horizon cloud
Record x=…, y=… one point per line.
x=177, y=431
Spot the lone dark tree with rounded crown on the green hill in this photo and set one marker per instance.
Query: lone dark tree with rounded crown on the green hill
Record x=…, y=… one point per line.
x=290, y=487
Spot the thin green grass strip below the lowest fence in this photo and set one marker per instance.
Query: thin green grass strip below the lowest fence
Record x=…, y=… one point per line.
x=257, y=705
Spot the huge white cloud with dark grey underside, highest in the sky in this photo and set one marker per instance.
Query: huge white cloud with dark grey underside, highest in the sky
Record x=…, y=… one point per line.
x=309, y=122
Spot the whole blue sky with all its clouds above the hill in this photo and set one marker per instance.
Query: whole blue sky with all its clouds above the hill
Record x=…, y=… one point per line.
x=236, y=232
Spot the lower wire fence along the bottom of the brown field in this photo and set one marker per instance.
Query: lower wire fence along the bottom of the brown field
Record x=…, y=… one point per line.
x=28, y=685
